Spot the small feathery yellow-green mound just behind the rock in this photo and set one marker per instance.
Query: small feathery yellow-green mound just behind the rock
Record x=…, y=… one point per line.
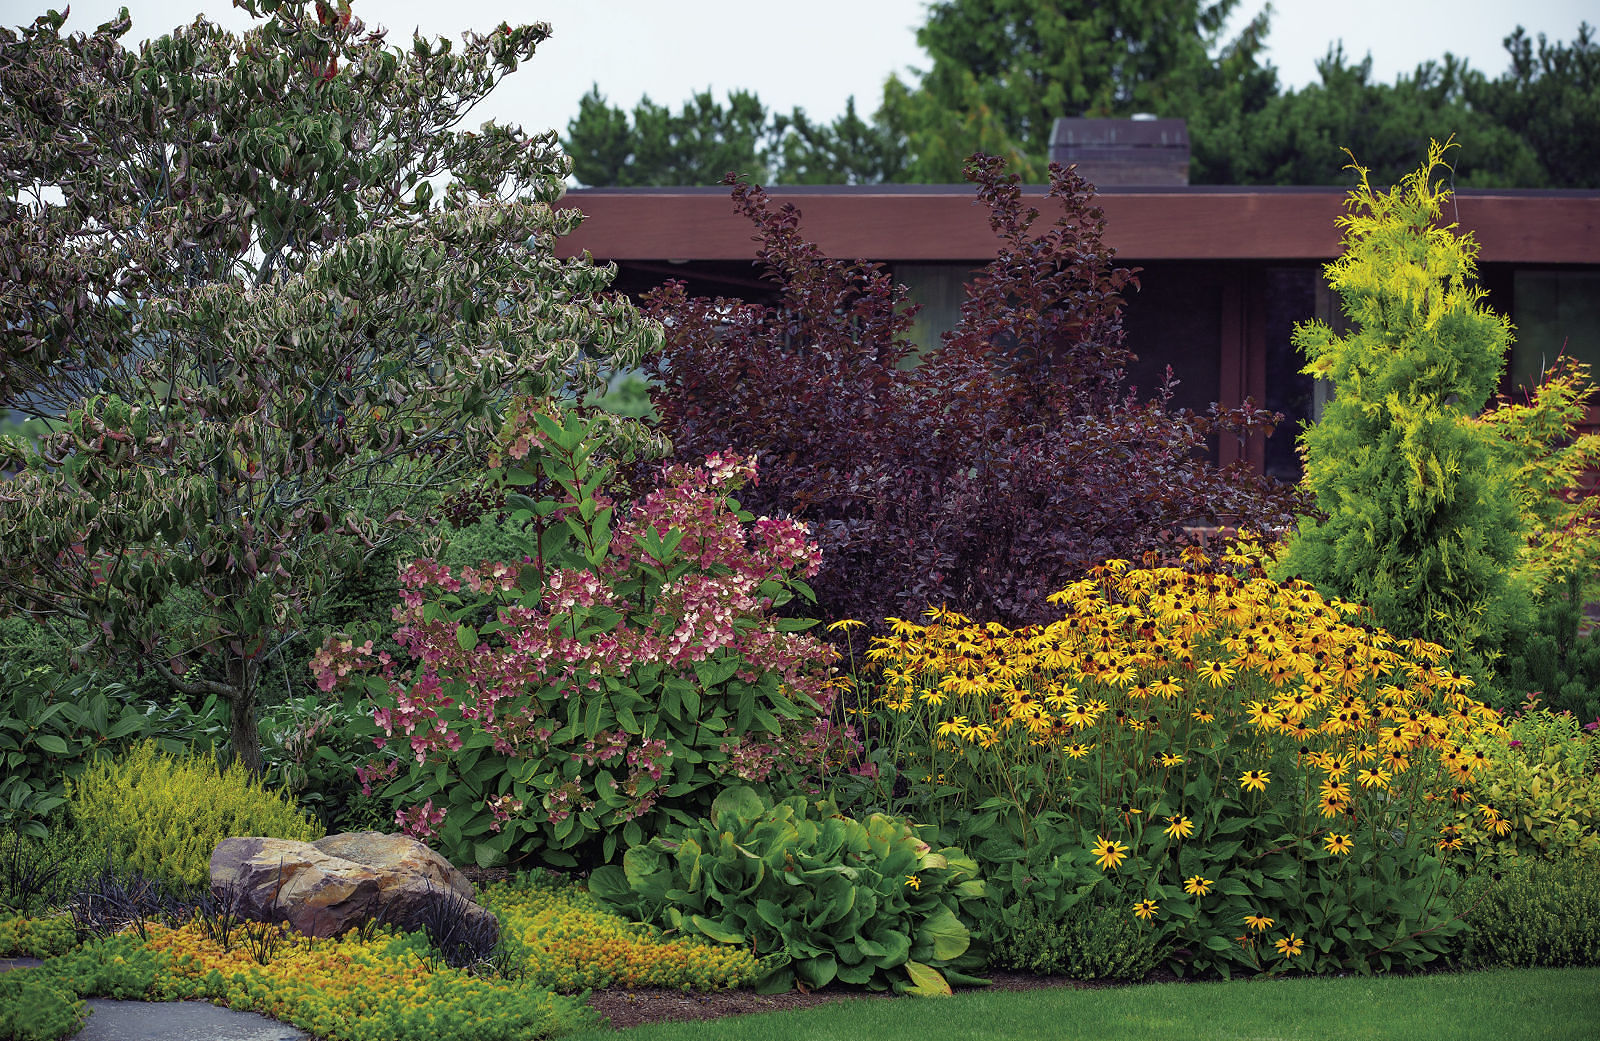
x=164, y=815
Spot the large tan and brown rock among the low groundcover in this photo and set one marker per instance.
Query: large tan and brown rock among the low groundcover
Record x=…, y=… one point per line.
x=337, y=883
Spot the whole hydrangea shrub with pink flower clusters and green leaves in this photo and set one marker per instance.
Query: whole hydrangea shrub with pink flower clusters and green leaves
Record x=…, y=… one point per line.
x=564, y=706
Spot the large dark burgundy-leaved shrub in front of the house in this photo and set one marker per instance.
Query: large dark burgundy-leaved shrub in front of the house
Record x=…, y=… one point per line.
x=990, y=473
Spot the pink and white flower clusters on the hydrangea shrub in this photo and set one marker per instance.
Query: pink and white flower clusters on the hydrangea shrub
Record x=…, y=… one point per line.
x=511, y=682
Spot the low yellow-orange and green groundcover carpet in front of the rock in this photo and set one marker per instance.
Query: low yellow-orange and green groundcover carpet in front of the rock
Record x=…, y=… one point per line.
x=372, y=984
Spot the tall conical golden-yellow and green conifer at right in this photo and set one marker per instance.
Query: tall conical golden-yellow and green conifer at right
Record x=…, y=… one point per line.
x=1418, y=524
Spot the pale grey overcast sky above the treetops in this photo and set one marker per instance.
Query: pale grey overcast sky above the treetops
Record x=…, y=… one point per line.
x=817, y=54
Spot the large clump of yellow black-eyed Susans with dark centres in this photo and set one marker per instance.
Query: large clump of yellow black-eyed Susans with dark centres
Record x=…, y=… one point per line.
x=1247, y=768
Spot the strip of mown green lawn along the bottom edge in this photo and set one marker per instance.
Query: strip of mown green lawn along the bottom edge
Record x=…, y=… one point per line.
x=1506, y=1005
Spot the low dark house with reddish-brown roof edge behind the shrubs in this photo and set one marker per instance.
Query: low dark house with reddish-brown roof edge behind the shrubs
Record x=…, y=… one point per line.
x=1228, y=271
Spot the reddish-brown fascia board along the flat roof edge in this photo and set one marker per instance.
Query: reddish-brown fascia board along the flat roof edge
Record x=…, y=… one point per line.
x=945, y=223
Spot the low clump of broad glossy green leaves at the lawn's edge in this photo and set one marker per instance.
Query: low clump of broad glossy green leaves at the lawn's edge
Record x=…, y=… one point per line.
x=863, y=903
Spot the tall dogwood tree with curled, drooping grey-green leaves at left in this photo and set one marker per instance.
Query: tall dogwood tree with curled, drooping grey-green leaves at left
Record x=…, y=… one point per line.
x=252, y=329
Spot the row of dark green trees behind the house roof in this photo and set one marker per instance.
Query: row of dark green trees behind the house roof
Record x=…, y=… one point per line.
x=1001, y=73
